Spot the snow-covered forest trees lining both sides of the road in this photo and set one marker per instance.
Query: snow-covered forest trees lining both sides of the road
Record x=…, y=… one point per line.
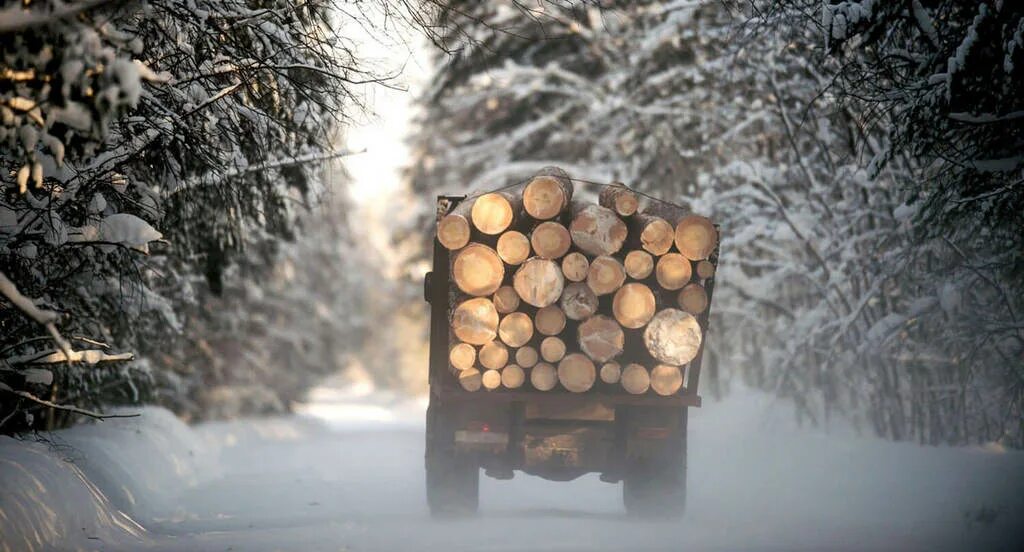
x=177, y=221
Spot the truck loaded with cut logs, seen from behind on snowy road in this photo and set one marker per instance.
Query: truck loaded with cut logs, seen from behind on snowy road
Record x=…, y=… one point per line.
x=567, y=337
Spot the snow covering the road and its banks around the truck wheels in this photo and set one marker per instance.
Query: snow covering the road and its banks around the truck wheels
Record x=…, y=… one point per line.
x=347, y=474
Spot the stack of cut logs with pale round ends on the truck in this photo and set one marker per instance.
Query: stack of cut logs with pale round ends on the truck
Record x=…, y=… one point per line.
x=552, y=293
